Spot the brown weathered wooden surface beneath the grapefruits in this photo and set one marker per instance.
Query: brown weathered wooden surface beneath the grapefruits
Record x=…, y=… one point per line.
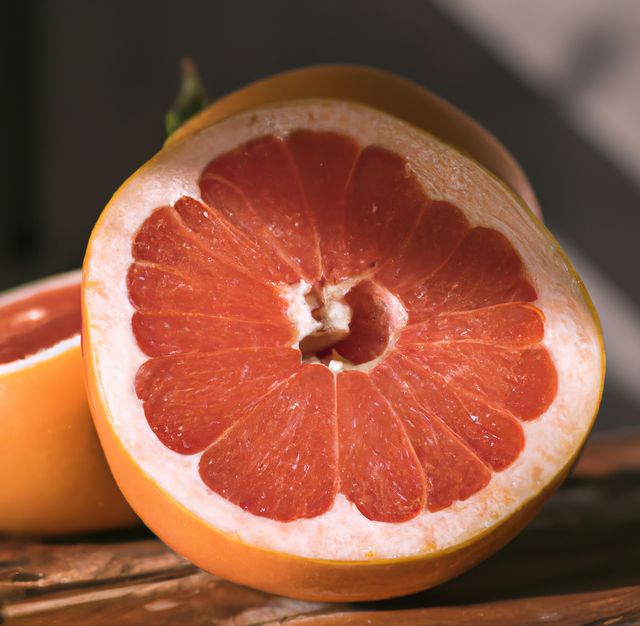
x=577, y=563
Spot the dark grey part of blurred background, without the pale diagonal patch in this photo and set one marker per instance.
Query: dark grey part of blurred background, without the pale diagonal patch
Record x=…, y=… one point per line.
x=86, y=85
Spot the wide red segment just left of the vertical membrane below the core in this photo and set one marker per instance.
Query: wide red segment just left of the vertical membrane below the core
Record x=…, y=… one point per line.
x=280, y=460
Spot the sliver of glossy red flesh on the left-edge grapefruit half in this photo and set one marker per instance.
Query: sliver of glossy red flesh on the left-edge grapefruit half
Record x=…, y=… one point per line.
x=40, y=321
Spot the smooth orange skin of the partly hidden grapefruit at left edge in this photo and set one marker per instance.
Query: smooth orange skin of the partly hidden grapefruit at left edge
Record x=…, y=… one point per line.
x=53, y=475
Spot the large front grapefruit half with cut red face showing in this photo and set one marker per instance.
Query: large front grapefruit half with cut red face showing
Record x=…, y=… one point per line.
x=331, y=357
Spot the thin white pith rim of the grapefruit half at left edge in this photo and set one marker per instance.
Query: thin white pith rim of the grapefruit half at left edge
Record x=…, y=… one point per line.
x=26, y=291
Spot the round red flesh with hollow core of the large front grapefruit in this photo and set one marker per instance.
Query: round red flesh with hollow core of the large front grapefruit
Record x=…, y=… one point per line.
x=316, y=326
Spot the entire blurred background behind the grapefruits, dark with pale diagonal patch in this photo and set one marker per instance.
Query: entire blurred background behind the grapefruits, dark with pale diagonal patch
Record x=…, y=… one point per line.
x=86, y=84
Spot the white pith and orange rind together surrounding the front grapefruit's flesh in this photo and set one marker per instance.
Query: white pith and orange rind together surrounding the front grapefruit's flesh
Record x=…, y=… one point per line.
x=344, y=556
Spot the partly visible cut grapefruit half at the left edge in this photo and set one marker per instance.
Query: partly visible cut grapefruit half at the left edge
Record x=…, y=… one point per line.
x=53, y=475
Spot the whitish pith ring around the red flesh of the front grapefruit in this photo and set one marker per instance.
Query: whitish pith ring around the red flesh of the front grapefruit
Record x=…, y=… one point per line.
x=571, y=337
